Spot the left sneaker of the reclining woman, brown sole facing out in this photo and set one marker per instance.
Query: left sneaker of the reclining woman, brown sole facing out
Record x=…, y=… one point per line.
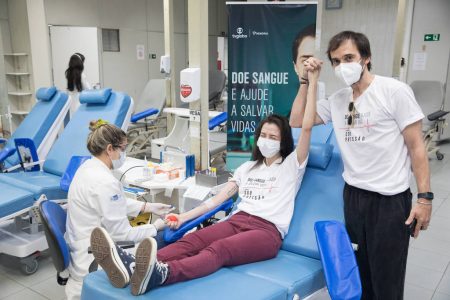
x=117, y=263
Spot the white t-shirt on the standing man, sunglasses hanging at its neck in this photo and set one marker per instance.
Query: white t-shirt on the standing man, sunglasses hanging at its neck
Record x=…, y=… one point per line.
x=373, y=150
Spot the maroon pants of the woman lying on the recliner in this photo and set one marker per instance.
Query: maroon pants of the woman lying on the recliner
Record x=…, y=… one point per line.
x=240, y=240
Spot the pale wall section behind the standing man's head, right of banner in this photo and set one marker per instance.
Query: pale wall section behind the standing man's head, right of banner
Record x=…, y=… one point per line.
x=376, y=19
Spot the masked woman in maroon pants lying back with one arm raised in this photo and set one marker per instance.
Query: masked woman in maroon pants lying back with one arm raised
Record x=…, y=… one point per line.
x=267, y=187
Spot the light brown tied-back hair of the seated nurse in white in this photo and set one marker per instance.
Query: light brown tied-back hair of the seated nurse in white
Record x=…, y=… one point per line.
x=102, y=134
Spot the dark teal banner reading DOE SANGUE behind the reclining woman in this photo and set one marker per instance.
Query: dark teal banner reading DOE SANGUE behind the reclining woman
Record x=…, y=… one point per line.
x=263, y=42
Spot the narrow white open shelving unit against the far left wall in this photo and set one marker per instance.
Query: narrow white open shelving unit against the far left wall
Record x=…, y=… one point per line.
x=18, y=84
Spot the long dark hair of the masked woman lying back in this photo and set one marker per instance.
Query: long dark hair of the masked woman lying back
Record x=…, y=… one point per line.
x=286, y=143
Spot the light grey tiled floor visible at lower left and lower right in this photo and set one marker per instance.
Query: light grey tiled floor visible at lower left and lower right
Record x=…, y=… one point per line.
x=428, y=270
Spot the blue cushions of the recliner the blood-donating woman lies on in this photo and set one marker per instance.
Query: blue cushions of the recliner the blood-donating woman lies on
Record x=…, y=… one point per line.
x=295, y=273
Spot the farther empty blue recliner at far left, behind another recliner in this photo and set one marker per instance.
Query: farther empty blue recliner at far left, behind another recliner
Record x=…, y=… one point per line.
x=41, y=125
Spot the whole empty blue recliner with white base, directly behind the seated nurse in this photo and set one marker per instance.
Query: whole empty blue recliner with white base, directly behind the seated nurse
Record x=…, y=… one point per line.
x=25, y=188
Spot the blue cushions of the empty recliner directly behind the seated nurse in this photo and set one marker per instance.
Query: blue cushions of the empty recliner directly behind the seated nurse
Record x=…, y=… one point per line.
x=111, y=106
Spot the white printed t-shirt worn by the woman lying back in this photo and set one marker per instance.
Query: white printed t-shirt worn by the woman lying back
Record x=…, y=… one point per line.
x=269, y=192
